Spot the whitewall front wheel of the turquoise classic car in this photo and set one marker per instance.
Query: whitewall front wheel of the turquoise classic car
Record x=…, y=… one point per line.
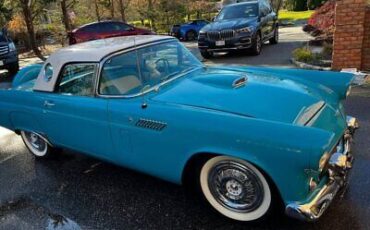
x=235, y=188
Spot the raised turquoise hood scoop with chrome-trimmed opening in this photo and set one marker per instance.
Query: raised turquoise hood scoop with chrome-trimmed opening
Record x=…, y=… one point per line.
x=228, y=81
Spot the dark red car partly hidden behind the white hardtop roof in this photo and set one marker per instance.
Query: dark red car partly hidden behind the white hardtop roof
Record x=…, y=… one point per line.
x=105, y=29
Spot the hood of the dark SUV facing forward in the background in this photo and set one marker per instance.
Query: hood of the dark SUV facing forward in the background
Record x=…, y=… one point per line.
x=230, y=24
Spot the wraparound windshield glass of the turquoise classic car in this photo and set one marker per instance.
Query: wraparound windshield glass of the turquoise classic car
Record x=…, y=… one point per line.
x=136, y=71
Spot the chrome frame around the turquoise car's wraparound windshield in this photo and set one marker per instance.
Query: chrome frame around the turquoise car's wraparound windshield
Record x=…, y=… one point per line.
x=151, y=89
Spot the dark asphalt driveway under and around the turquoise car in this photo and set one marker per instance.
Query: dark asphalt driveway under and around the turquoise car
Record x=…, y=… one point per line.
x=74, y=191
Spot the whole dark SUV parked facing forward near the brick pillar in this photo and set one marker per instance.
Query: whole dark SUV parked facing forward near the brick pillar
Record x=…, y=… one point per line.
x=240, y=26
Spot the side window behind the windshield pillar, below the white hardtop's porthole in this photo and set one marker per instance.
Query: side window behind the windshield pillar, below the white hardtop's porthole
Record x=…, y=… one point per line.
x=77, y=79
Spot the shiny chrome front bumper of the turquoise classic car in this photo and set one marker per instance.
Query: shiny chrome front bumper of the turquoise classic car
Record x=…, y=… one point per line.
x=339, y=167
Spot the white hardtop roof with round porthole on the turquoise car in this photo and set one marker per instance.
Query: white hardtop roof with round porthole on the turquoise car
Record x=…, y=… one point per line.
x=92, y=51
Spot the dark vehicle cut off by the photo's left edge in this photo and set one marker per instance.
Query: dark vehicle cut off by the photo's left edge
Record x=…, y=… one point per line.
x=8, y=54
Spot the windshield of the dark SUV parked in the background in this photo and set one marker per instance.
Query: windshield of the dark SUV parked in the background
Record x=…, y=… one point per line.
x=238, y=11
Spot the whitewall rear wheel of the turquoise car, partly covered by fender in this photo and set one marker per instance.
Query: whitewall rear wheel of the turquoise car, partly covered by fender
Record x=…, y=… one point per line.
x=37, y=145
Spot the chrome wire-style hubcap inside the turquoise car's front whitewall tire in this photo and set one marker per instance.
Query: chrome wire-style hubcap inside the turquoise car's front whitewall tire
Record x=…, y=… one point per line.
x=235, y=187
